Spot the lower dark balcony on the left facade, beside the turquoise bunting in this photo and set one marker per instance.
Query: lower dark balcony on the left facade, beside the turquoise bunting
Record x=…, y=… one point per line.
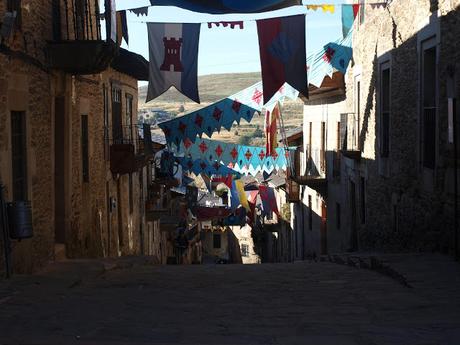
x=129, y=151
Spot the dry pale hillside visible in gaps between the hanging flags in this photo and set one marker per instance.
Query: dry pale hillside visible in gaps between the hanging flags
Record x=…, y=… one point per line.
x=213, y=88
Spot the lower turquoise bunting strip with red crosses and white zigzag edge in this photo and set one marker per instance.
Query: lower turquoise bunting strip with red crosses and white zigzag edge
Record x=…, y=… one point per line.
x=239, y=158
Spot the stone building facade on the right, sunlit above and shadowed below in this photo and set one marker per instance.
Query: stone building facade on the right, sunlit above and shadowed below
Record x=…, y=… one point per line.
x=391, y=187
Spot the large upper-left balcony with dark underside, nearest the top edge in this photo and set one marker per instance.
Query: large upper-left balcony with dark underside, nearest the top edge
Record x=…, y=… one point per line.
x=77, y=46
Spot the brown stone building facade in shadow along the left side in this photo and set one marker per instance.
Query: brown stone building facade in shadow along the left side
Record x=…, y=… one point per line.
x=55, y=137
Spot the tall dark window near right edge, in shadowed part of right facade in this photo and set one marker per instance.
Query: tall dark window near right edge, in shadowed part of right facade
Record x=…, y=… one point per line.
x=429, y=85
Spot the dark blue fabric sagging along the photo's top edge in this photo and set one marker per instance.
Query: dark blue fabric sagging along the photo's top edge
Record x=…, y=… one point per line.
x=227, y=6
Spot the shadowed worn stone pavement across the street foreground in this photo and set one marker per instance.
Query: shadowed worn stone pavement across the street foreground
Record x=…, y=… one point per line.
x=131, y=302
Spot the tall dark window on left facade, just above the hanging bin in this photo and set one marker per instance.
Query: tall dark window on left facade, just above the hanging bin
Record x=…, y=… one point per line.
x=19, y=154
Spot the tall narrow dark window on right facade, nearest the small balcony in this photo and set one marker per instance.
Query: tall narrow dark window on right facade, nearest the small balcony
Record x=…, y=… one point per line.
x=385, y=110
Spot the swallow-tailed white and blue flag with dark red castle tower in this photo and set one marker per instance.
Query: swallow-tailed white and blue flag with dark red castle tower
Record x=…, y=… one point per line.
x=173, y=51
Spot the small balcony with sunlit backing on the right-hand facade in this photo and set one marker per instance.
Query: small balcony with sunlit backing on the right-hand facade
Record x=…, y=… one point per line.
x=349, y=125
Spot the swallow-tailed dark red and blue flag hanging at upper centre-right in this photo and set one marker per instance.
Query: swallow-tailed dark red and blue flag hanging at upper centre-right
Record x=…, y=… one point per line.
x=282, y=54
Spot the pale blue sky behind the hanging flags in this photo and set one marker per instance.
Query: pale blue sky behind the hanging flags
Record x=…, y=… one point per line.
x=223, y=50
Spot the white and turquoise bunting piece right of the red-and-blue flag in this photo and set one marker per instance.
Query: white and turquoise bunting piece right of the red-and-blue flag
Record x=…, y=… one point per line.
x=334, y=56
